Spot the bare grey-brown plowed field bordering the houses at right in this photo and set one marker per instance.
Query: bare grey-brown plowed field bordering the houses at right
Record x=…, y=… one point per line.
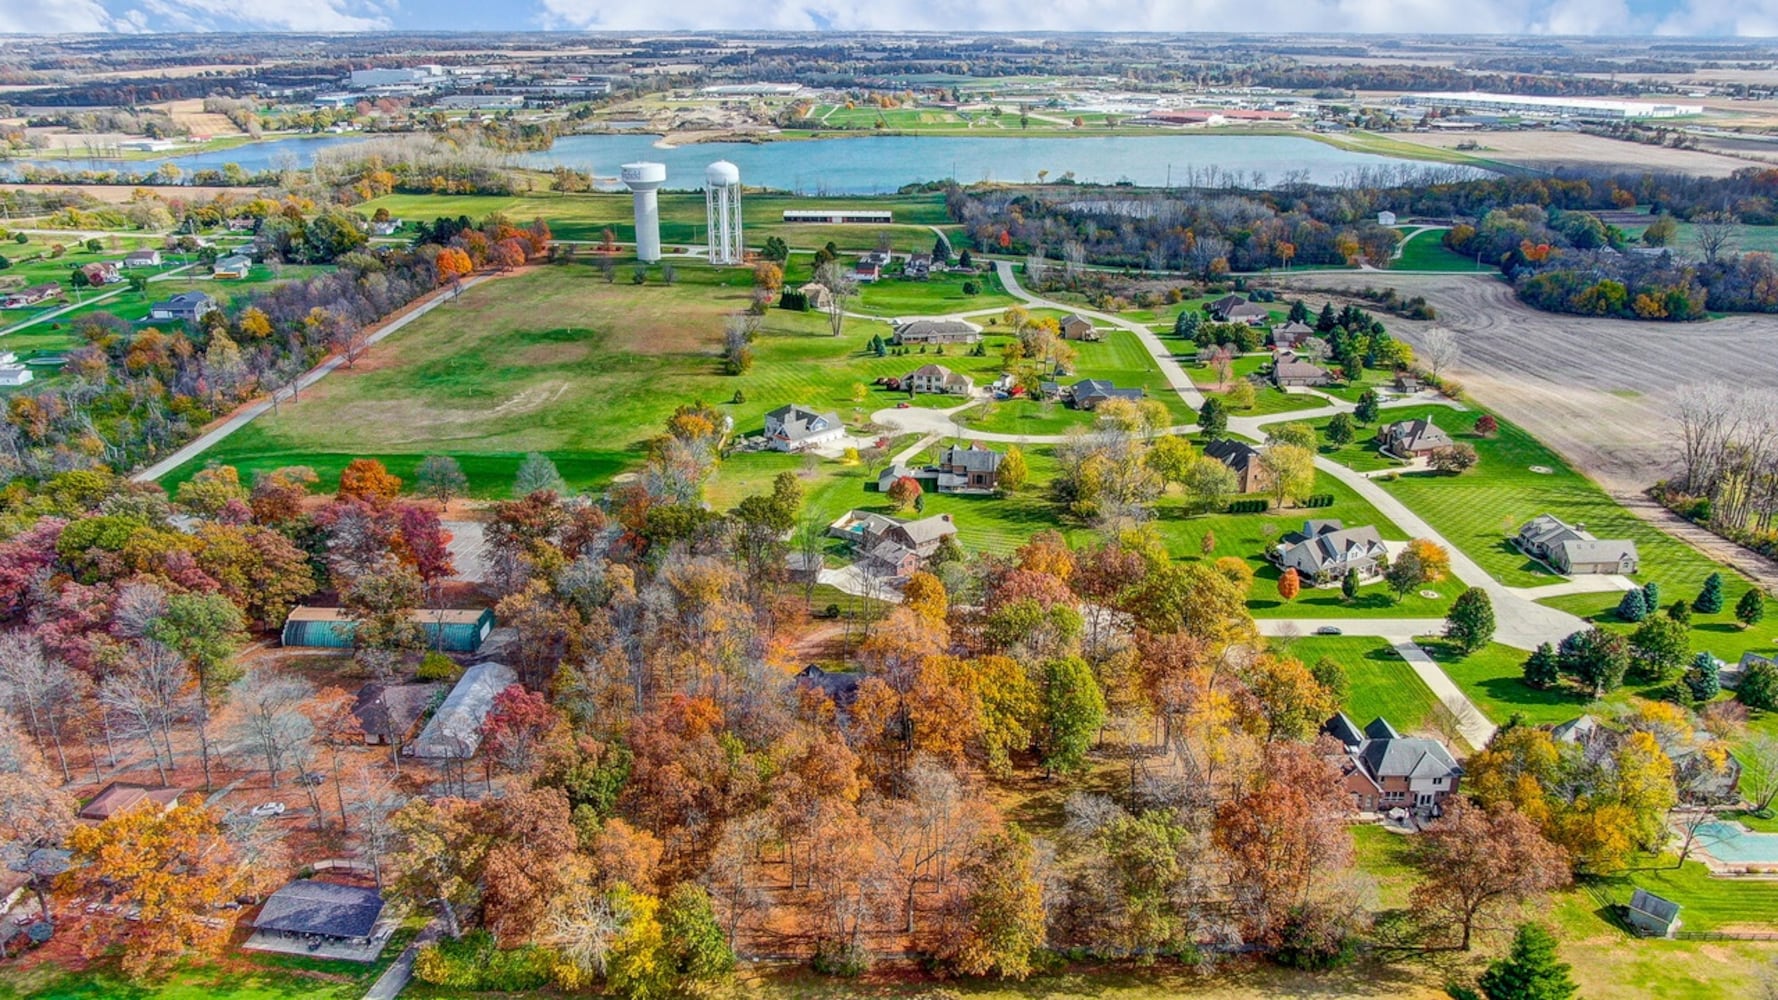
x=1598, y=391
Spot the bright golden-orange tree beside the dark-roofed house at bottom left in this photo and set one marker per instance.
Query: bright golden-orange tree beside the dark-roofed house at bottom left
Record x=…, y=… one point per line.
x=172, y=871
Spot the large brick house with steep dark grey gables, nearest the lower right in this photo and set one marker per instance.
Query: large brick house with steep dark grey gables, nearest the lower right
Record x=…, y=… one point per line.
x=1386, y=771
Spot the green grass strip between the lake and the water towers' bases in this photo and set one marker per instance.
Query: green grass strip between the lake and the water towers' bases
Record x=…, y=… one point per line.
x=589, y=216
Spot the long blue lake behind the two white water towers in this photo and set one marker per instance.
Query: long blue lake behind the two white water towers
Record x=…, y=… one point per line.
x=881, y=165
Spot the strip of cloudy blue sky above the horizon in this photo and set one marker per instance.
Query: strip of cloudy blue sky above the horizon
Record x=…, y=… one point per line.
x=1749, y=19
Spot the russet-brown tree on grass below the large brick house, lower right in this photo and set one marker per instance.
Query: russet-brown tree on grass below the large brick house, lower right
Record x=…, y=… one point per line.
x=1478, y=867
